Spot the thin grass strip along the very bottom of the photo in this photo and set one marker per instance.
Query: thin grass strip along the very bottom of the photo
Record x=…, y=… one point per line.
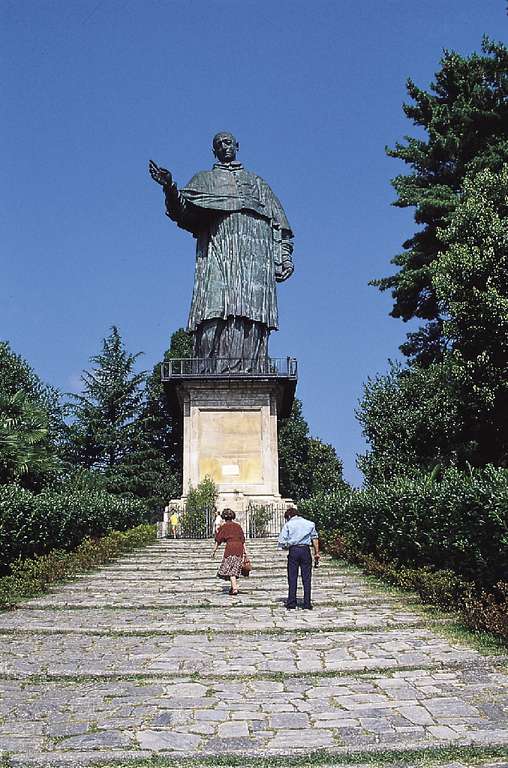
x=424, y=757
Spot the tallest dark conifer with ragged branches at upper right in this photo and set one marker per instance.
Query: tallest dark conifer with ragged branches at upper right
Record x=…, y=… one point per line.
x=465, y=118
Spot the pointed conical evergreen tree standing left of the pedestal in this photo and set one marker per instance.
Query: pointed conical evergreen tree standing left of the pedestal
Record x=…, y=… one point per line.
x=105, y=424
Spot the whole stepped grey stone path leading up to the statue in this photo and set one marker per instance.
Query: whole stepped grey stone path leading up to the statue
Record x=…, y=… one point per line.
x=151, y=656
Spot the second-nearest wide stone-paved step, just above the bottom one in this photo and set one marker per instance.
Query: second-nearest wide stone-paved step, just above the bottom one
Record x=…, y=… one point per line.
x=207, y=655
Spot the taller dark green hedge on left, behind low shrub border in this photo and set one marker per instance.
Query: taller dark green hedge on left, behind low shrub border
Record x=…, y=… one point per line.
x=33, y=524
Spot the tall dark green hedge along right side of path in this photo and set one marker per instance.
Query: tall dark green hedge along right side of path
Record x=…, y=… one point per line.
x=457, y=522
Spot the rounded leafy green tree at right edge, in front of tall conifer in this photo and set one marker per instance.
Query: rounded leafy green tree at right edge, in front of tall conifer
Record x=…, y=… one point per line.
x=470, y=277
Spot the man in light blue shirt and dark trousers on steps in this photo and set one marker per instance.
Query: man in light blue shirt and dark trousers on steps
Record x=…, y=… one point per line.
x=297, y=536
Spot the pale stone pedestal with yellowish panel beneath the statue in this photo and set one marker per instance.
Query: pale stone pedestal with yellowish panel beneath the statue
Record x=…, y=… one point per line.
x=230, y=433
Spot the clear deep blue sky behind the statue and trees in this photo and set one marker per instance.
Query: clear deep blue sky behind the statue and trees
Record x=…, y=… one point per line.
x=92, y=89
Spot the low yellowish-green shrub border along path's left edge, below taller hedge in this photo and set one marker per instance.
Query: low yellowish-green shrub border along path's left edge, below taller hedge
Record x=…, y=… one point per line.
x=31, y=576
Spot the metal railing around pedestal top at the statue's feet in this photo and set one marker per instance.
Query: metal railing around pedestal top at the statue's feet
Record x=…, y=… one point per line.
x=229, y=366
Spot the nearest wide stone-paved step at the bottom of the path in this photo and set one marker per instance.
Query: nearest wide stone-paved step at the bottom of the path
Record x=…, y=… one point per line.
x=423, y=708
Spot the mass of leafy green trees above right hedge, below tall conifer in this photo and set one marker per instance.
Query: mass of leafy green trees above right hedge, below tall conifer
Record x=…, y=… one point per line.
x=453, y=411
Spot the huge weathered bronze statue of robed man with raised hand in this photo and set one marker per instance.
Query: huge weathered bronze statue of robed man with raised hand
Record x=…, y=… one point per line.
x=244, y=246
